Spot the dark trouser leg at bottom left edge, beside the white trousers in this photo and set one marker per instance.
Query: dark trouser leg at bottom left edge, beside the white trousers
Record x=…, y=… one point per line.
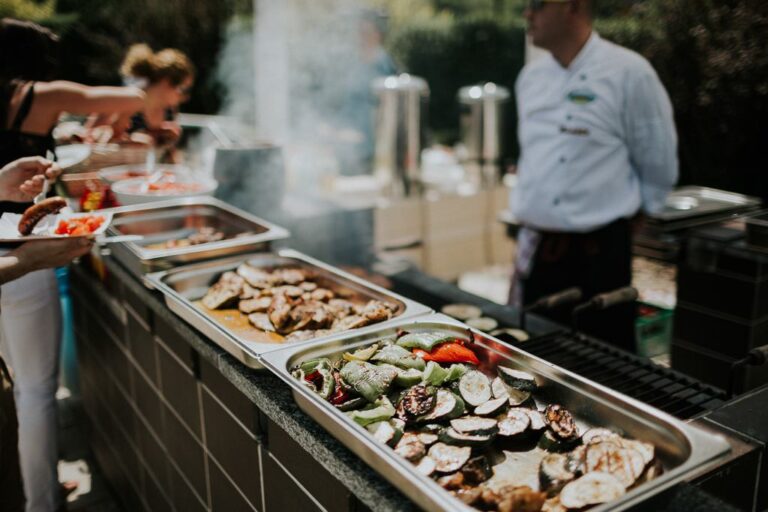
x=11, y=490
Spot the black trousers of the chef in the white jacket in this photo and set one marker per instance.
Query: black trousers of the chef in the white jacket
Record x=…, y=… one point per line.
x=596, y=262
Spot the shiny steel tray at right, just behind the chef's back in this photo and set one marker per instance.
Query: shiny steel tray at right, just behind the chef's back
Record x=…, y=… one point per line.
x=693, y=201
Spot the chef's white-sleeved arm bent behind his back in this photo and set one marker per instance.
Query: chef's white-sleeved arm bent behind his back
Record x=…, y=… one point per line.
x=651, y=137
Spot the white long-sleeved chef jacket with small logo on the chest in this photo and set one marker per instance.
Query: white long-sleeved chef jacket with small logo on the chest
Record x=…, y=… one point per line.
x=597, y=139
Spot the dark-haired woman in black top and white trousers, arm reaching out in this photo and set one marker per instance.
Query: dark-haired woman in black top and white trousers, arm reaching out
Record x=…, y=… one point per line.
x=30, y=106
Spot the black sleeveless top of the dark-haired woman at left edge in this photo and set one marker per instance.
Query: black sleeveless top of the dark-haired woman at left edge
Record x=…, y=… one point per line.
x=14, y=143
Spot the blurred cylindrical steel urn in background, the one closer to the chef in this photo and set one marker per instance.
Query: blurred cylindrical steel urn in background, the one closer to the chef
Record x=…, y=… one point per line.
x=482, y=131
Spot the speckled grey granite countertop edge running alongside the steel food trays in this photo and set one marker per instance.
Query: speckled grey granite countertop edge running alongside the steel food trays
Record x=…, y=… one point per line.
x=274, y=399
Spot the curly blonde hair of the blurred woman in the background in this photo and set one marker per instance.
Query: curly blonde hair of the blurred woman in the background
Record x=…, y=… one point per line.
x=170, y=64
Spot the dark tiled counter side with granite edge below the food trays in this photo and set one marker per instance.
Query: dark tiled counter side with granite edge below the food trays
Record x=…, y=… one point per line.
x=178, y=424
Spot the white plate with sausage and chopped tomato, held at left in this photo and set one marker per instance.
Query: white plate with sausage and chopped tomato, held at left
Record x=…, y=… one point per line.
x=51, y=219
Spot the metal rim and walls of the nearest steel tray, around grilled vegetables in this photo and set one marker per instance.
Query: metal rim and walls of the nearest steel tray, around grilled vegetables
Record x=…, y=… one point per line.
x=683, y=449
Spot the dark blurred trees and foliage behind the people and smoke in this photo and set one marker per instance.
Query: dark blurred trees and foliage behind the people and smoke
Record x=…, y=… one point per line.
x=712, y=55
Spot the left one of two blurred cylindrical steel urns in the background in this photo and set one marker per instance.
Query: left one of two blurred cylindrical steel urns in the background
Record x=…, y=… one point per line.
x=399, y=131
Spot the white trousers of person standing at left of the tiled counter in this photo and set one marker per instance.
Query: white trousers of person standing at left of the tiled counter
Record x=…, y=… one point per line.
x=30, y=325
